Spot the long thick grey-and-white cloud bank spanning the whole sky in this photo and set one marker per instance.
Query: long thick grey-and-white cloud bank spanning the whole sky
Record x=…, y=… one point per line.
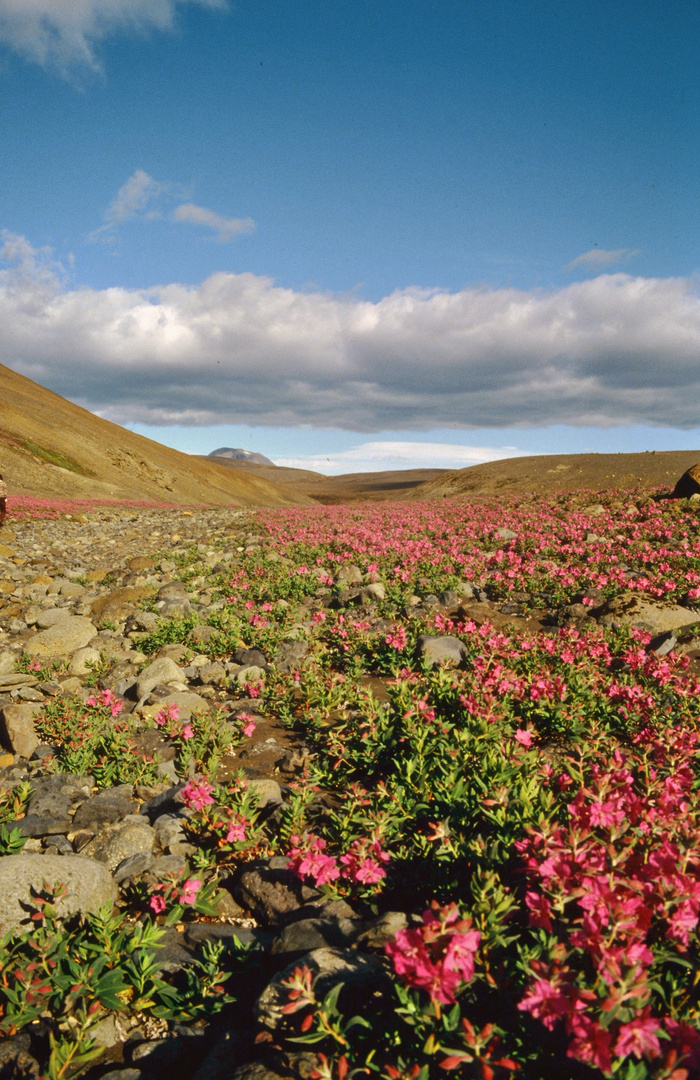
x=239, y=349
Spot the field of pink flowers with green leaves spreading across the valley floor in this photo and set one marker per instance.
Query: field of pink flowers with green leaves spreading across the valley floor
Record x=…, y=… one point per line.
x=533, y=812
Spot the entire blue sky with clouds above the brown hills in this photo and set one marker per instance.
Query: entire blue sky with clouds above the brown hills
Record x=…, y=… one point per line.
x=357, y=235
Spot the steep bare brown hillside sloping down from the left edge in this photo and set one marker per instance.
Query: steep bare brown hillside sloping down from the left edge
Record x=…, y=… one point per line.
x=55, y=449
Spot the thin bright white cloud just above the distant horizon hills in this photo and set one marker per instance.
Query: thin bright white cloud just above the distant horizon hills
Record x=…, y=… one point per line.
x=384, y=456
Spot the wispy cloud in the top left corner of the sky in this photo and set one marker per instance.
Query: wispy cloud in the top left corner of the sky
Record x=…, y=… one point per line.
x=63, y=35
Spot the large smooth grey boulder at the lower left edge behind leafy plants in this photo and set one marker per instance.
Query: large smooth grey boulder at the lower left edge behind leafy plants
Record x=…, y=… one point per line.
x=90, y=885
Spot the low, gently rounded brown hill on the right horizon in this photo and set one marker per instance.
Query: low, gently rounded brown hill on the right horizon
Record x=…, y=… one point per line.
x=562, y=472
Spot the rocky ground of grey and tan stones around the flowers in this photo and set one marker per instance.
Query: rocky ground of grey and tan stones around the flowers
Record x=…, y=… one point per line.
x=78, y=596
